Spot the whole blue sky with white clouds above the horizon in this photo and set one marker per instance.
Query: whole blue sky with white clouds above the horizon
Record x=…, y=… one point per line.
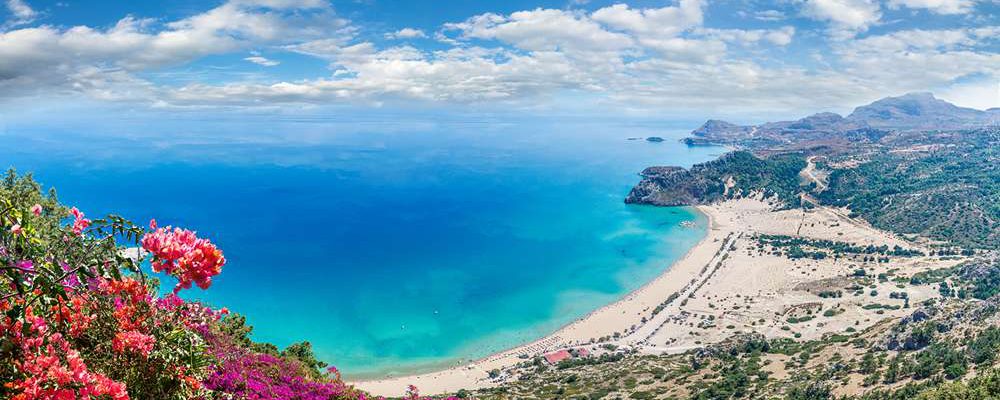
x=744, y=59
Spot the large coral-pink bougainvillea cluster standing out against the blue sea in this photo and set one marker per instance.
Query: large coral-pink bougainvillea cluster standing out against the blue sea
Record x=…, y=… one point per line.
x=182, y=254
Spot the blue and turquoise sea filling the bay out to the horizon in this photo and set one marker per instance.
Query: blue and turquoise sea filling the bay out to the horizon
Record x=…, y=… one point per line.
x=393, y=248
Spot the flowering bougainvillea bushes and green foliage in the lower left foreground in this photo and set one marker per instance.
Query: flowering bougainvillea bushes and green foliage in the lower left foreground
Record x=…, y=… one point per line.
x=82, y=320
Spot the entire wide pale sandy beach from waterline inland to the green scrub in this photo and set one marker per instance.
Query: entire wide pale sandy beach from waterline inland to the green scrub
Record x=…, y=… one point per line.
x=724, y=285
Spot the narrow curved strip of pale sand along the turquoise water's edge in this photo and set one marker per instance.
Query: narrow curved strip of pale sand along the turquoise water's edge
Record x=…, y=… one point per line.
x=626, y=312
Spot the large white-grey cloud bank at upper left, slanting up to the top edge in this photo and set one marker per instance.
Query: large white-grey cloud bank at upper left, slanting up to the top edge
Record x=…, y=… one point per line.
x=46, y=58
